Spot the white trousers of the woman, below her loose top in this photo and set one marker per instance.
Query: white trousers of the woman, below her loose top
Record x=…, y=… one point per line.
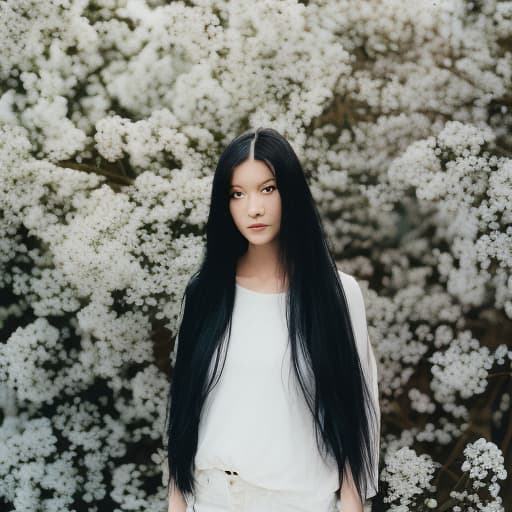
x=217, y=491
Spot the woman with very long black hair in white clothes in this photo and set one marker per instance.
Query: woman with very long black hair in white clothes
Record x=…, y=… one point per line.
x=273, y=400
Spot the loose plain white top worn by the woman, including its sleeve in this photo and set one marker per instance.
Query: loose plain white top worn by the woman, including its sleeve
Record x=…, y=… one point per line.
x=255, y=420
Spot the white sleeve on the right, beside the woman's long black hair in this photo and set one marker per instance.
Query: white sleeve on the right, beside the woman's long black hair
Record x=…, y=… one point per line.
x=369, y=364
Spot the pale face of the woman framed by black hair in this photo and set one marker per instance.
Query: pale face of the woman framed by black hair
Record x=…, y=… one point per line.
x=254, y=199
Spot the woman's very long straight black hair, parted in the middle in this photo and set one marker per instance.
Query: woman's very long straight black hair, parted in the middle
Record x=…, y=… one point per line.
x=317, y=315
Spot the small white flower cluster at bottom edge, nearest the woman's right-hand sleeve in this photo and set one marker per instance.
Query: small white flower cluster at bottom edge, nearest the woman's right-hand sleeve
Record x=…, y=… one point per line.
x=408, y=476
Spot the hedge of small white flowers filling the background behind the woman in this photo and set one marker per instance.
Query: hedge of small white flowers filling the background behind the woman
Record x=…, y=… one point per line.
x=112, y=116
